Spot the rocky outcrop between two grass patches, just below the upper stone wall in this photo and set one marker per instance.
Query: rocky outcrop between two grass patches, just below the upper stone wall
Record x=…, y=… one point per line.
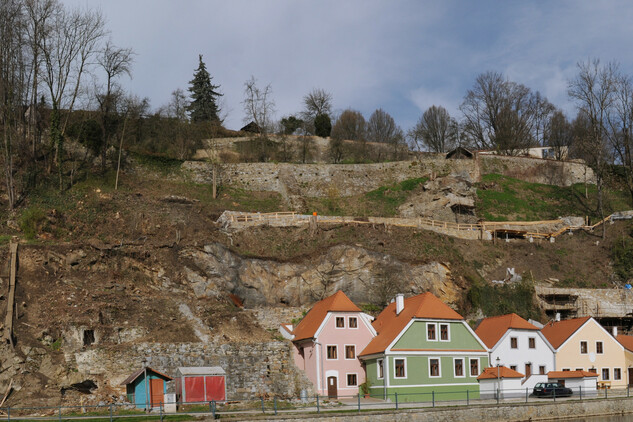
x=450, y=198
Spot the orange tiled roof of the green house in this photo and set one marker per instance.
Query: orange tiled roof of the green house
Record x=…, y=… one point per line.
x=388, y=325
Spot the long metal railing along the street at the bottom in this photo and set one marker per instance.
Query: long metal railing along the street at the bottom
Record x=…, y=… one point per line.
x=375, y=401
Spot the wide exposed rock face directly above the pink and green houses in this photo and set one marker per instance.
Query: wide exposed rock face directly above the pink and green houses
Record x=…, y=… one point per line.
x=365, y=276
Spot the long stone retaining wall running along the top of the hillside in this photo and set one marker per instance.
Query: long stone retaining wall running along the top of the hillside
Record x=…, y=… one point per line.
x=322, y=180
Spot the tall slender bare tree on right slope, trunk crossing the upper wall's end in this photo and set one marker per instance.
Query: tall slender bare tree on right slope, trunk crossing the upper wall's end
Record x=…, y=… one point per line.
x=594, y=90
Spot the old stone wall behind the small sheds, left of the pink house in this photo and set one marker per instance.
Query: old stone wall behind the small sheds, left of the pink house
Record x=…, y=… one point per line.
x=252, y=369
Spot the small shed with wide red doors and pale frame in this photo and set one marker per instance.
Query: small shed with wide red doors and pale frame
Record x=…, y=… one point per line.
x=200, y=384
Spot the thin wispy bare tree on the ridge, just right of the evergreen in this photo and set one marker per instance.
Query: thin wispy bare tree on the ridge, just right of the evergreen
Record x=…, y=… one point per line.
x=259, y=107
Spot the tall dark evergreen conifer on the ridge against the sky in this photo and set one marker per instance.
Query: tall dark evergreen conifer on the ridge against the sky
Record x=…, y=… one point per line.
x=203, y=95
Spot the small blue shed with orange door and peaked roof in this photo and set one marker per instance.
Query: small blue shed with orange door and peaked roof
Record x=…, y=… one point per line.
x=146, y=394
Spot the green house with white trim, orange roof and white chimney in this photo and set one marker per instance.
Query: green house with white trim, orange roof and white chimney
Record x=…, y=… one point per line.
x=424, y=352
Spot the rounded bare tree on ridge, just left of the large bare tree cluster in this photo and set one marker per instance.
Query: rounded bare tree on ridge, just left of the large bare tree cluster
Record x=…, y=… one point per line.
x=436, y=129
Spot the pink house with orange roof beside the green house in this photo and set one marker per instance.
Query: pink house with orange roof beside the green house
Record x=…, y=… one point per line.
x=327, y=343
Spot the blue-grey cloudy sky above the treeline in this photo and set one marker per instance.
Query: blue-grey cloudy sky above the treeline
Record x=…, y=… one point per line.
x=398, y=55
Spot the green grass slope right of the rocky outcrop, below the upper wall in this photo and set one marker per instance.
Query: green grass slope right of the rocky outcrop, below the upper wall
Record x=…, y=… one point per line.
x=503, y=198
